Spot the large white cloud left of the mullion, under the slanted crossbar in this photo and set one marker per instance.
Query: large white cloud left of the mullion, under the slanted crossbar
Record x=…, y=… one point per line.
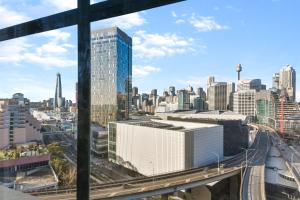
x=52, y=53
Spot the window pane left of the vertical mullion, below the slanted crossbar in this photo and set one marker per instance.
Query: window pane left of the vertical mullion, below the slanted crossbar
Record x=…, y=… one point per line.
x=38, y=111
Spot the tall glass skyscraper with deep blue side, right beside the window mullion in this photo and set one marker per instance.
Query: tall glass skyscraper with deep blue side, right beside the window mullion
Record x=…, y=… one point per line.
x=111, y=75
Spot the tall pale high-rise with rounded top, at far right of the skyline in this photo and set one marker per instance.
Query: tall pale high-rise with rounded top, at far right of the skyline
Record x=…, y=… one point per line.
x=287, y=82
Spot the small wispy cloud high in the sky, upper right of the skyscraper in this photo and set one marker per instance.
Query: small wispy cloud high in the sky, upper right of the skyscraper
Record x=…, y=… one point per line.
x=204, y=24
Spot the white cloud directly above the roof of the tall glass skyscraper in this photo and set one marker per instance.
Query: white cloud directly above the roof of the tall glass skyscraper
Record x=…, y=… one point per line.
x=126, y=21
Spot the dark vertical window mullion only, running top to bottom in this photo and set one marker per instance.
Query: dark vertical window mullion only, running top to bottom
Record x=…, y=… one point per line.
x=84, y=100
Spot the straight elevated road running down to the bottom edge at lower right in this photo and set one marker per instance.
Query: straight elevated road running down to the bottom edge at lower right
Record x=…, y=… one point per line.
x=253, y=182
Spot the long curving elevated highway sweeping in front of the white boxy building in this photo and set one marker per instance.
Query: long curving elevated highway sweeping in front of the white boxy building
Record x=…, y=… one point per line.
x=161, y=184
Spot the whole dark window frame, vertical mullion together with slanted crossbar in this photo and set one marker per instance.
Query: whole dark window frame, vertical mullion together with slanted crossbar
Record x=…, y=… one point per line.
x=82, y=16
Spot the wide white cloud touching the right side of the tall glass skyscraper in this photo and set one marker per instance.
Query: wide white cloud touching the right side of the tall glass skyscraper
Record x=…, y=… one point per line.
x=146, y=45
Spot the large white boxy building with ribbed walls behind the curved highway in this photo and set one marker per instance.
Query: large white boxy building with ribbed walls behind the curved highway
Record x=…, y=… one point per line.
x=163, y=146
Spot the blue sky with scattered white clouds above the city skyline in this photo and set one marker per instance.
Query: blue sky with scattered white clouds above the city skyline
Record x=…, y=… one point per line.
x=180, y=45
